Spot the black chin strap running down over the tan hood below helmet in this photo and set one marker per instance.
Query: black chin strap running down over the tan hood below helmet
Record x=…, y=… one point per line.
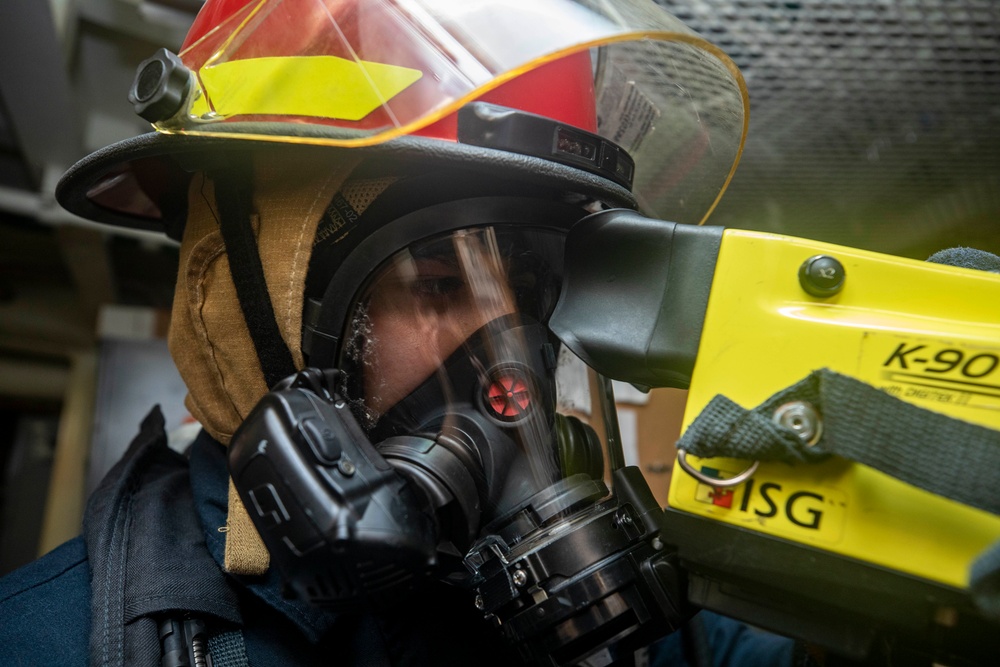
x=234, y=196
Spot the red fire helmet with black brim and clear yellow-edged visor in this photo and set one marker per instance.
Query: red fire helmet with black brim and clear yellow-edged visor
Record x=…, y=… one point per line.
x=580, y=89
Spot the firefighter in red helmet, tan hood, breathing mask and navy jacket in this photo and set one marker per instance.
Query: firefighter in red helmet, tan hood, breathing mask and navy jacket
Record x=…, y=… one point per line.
x=371, y=200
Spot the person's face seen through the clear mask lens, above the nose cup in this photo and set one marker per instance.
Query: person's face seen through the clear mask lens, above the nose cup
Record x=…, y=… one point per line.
x=429, y=299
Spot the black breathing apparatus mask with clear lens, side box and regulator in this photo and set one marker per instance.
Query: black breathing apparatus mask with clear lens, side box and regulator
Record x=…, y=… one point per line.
x=451, y=442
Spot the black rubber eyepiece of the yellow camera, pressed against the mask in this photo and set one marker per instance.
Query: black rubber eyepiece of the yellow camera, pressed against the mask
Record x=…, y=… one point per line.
x=634, y=296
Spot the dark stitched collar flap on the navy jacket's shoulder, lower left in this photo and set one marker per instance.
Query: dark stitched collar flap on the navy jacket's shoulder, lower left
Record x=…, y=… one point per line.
x=139, y=573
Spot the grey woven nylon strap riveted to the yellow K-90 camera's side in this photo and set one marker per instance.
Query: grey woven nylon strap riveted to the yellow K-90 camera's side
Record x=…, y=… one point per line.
x=946, y=456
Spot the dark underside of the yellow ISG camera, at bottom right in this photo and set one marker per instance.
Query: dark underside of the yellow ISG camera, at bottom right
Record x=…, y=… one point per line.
x=854, y=610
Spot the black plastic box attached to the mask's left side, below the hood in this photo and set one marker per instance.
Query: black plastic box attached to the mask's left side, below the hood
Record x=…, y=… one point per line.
x=339, y=521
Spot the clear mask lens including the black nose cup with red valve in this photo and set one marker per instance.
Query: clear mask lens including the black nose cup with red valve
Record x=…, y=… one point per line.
x=449, y=334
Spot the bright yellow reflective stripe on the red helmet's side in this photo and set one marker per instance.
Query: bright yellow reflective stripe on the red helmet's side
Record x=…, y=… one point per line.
x=317, y=86
